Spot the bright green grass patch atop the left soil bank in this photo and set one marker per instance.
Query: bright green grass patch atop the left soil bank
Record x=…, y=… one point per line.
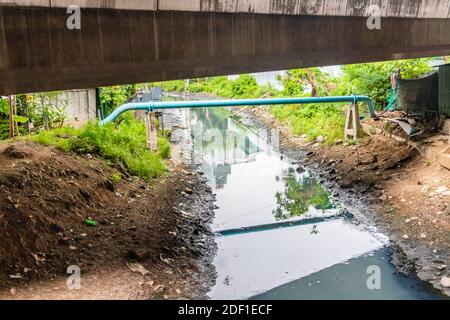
x=123, y=142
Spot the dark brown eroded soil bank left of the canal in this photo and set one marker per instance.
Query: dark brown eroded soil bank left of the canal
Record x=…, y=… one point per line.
x=160, y=230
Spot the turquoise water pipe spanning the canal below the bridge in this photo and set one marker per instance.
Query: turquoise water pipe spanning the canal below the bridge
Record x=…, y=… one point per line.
x=153, y=105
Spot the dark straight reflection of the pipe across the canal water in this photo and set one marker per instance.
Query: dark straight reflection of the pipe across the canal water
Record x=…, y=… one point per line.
x=276, y=225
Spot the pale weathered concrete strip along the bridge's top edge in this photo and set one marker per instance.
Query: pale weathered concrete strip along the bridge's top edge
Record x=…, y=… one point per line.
x=389, y=8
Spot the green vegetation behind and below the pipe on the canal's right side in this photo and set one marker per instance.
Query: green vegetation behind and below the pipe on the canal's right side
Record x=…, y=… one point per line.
x=326, y=120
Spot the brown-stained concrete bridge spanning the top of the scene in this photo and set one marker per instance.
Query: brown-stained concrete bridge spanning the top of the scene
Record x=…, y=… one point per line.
x=126, y=41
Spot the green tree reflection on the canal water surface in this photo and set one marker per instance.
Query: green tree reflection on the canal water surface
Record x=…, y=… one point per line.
x=299, y=195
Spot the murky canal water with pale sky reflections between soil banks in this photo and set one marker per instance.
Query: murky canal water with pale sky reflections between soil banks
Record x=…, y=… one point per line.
x=280, y=235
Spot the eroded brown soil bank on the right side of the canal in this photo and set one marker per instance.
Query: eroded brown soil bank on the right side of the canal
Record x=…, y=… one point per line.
x=388, y=183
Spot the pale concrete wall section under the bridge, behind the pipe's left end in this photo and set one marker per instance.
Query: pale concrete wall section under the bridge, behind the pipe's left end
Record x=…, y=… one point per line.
x=81, y=106
